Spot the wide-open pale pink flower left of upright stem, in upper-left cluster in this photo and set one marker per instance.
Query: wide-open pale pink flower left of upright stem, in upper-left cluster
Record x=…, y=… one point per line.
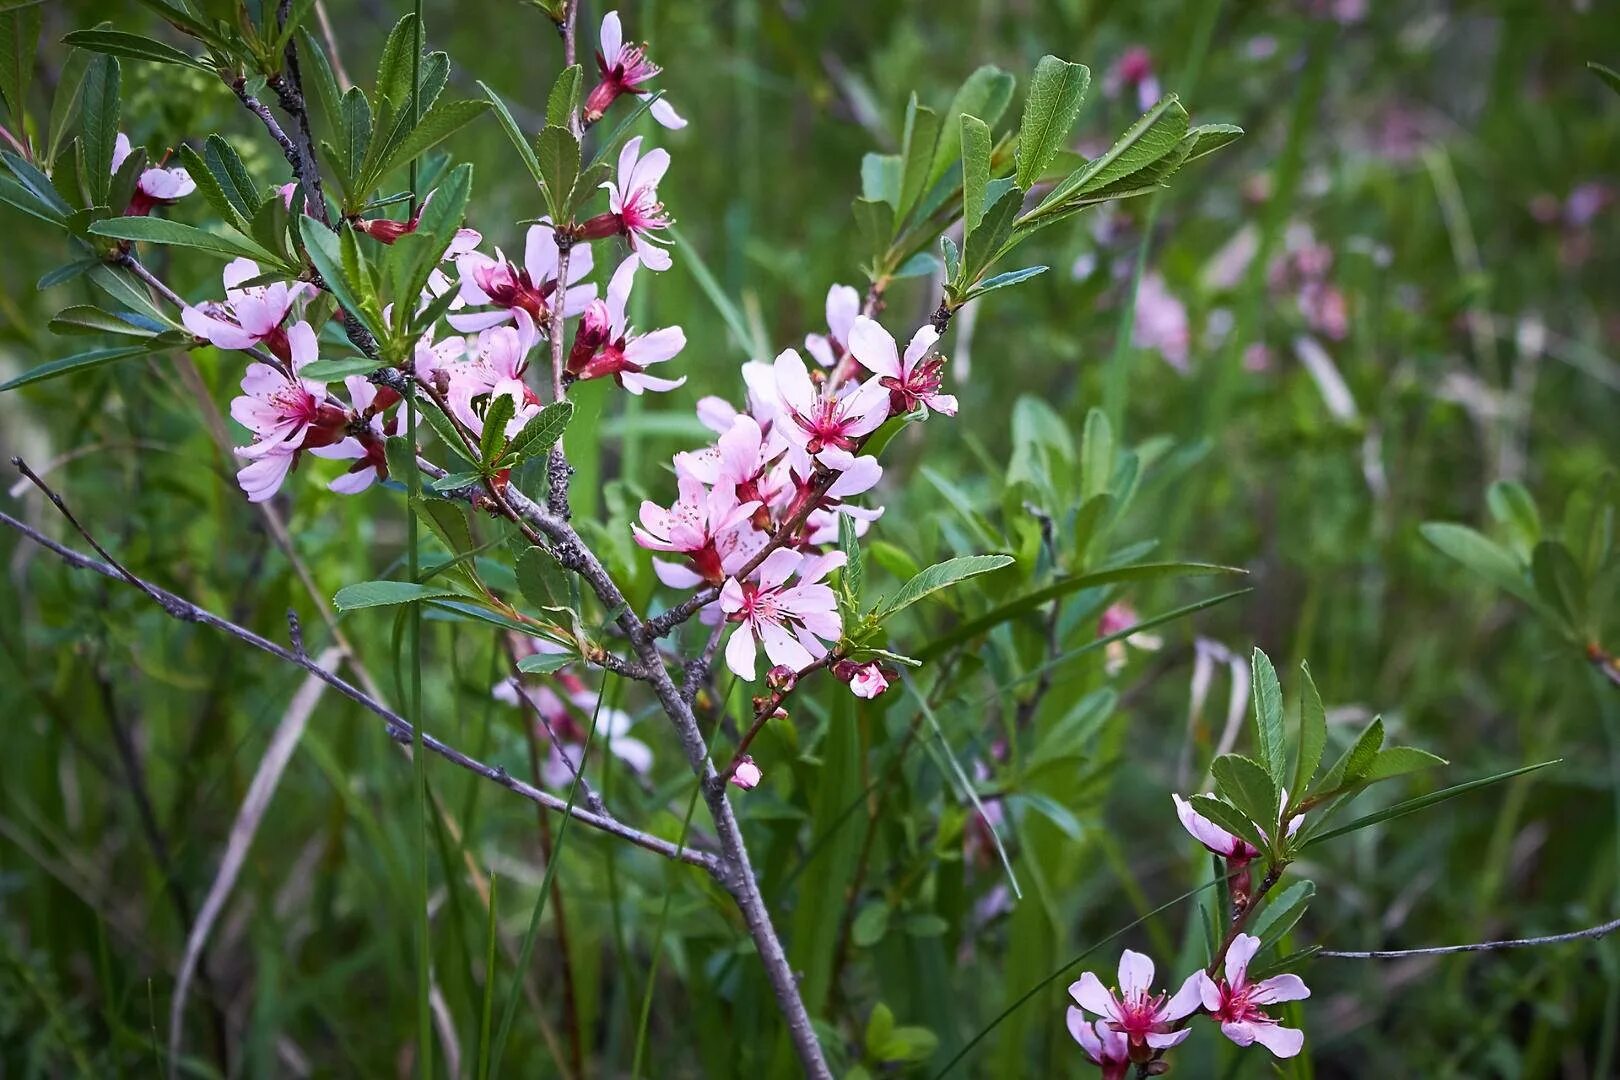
x=531, y=289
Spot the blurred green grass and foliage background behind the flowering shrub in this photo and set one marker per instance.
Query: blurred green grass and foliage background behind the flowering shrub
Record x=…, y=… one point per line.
x=1428, y=198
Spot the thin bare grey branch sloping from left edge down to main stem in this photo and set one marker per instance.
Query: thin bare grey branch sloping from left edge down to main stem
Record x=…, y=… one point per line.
x=399, y=729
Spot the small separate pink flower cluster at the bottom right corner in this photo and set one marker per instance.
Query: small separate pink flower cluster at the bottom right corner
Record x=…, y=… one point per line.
x=1132, y=1026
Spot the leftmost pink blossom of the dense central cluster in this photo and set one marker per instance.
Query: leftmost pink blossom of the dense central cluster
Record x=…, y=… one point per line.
x=701, y=525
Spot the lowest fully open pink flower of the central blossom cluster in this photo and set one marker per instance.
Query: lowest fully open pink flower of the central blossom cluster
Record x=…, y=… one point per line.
x=790, y=621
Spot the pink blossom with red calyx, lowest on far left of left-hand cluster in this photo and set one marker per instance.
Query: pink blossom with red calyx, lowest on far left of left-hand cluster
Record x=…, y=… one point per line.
x=286, y=415
